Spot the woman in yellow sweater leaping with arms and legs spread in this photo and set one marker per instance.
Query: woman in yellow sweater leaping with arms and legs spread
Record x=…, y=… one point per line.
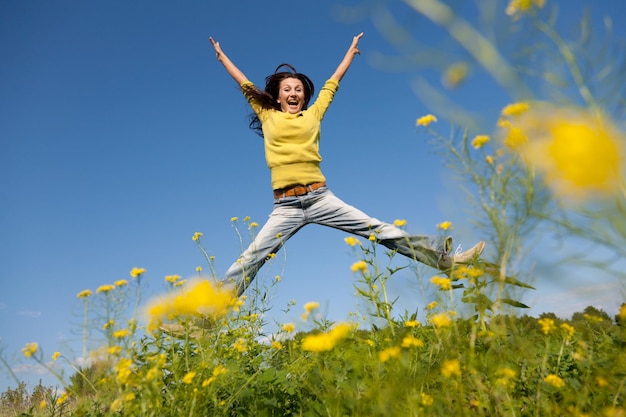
x=291, y=132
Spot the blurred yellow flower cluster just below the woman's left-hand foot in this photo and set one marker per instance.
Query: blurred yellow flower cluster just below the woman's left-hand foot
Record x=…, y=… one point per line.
x=197, y=297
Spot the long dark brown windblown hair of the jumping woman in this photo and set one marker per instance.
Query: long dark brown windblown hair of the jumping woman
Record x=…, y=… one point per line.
x=268, y=98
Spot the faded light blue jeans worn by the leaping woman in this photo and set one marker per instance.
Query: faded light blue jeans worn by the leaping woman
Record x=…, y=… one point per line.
x=321, y=206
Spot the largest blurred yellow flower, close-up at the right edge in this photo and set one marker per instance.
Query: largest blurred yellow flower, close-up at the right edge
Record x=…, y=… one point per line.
x=579, y=152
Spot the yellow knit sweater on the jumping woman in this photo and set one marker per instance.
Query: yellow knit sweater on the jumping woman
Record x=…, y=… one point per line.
x=292, y=140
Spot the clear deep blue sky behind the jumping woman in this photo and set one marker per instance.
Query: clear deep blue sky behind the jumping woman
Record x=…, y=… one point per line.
x=121, y=136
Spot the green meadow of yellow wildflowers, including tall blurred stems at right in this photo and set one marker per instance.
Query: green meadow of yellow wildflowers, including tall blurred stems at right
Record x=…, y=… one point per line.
x=552, y=162
